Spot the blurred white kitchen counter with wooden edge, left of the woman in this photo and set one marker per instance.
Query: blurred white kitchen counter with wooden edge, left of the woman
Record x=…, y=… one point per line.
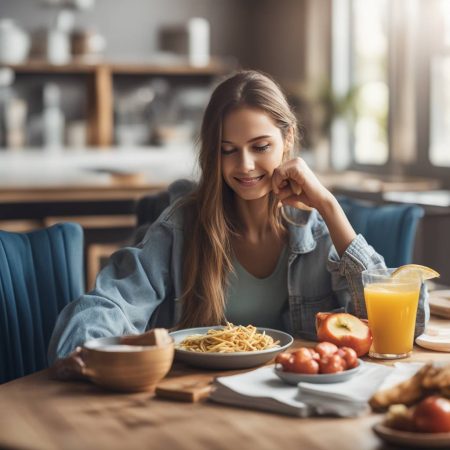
x=23, y=172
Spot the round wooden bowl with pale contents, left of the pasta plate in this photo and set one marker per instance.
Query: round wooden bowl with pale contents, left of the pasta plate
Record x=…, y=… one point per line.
x=129, y=368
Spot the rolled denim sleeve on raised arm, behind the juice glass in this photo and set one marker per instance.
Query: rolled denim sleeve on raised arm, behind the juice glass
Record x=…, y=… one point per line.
x=347, y=280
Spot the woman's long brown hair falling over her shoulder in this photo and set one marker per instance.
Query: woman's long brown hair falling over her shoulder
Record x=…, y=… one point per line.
x=209, y=219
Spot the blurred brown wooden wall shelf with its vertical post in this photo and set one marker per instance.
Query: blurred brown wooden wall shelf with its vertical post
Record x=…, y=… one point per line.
x=101, y=89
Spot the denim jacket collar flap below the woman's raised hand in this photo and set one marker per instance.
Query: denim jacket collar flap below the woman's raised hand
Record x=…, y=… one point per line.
x=310, y=227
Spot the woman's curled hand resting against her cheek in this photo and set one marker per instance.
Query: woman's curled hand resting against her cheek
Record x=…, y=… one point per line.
x=295, y=184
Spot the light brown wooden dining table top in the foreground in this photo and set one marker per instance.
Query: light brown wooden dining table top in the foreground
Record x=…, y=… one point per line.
x=38, y=412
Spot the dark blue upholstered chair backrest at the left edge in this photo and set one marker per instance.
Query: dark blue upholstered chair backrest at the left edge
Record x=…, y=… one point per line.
x=40, y=272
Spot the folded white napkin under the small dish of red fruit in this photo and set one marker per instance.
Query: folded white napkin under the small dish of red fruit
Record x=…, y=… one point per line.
x=262, y=389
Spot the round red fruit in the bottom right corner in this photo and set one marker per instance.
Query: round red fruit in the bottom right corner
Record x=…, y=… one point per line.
x=432, y=415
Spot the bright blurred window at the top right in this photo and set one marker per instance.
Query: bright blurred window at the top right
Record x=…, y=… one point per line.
x=395, y=56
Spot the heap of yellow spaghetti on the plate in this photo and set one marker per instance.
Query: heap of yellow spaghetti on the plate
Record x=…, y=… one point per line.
x=229, y=339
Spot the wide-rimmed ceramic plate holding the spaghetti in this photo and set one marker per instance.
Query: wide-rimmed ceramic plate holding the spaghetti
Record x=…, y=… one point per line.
x=238, y=360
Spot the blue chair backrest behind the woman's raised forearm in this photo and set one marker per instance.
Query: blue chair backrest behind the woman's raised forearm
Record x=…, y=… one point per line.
x=390, y=229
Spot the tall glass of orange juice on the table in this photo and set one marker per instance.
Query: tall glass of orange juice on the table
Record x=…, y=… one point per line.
x=391, y=304
